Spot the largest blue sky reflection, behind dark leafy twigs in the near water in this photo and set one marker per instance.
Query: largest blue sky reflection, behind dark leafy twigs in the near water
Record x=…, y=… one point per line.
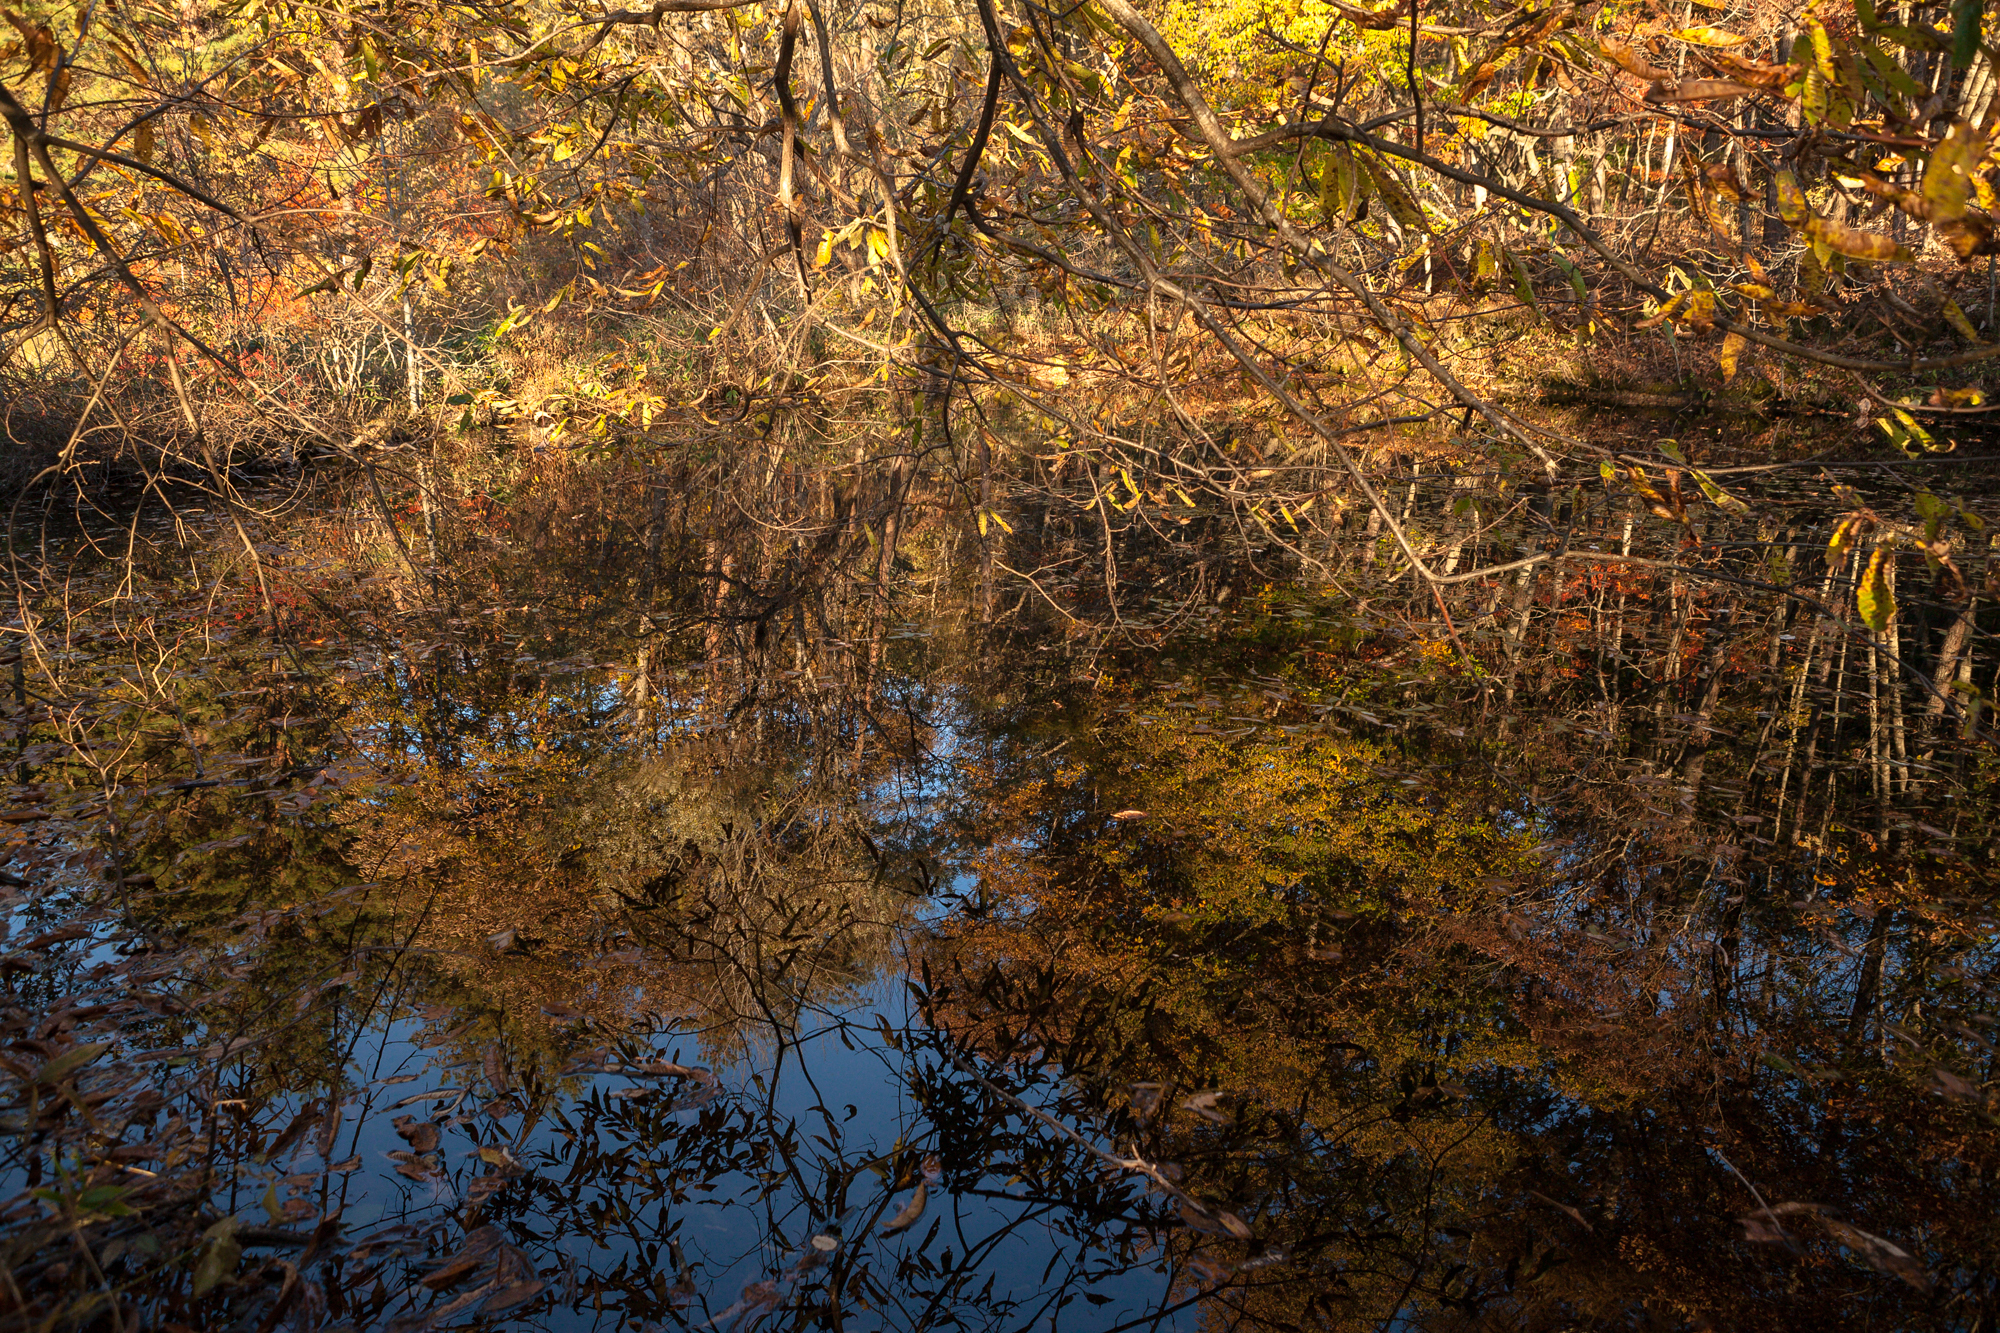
x=839, y=1094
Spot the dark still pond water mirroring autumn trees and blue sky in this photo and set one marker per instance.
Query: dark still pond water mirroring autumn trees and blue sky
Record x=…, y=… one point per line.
x=549, y=950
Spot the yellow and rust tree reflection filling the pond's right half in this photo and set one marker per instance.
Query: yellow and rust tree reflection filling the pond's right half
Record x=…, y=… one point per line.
x=1467, y=1060
